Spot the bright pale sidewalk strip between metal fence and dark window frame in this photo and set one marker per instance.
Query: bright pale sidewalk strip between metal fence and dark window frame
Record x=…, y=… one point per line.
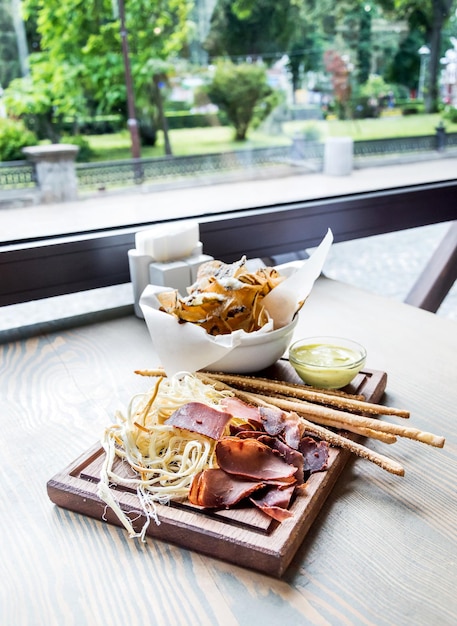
x=133, y=207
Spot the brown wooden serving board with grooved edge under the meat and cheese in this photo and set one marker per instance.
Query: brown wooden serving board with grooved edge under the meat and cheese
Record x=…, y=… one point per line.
x=243, y=536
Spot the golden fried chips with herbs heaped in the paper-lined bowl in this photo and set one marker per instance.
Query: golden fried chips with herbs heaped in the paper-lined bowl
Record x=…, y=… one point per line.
x=224, y=298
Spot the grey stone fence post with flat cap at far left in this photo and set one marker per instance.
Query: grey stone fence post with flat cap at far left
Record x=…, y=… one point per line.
x=55, y=171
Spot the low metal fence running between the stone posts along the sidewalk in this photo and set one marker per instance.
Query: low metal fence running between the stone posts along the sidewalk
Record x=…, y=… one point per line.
x=117, y=174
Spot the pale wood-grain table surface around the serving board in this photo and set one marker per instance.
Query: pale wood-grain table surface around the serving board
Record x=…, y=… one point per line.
x=382, y=551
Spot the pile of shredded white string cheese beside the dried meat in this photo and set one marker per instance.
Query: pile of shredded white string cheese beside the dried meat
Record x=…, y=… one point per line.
x=162, y=460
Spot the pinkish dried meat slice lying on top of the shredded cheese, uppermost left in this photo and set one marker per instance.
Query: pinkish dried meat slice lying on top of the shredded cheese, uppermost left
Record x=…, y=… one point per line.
x=200, y=418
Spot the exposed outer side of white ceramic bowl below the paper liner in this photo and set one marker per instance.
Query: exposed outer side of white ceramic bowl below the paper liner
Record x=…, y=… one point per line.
x=256, y=352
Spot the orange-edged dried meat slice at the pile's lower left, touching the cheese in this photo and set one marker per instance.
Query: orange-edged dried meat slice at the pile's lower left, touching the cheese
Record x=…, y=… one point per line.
x=214, y=488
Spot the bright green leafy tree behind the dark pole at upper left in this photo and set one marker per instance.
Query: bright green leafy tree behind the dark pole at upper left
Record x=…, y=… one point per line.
x=85, y=37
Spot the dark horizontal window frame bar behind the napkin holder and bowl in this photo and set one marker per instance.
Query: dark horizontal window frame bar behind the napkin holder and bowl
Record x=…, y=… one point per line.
x=32, y=269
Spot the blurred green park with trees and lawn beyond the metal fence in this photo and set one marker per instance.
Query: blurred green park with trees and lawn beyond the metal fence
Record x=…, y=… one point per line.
x=146, y=78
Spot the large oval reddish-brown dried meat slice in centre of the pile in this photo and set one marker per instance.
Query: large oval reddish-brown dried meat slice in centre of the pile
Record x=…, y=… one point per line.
x=250, y=458
